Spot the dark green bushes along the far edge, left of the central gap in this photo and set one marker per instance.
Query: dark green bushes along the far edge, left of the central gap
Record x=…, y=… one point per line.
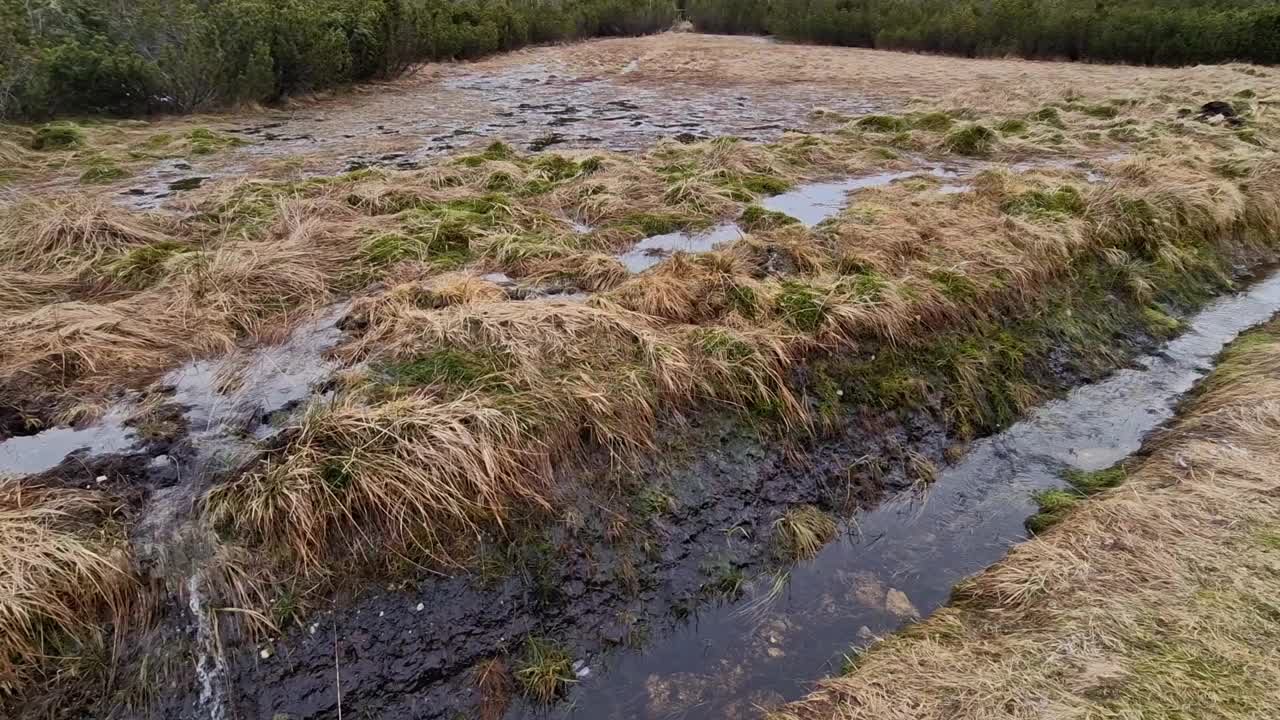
x=132, y=57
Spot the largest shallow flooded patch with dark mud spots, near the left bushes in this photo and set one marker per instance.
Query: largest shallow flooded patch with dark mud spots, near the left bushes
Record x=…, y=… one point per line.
x=540, y=104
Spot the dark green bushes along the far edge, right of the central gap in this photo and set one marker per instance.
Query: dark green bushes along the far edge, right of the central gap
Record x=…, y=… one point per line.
x=1158, y=33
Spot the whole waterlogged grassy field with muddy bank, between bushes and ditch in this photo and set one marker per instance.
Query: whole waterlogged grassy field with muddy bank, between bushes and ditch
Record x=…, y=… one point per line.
x=473, y=393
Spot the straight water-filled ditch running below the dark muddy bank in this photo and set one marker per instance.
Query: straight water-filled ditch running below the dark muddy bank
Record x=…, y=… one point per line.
x=902, y=559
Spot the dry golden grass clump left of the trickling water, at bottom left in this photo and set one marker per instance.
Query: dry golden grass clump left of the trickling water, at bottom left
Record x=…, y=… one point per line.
x=62, y=572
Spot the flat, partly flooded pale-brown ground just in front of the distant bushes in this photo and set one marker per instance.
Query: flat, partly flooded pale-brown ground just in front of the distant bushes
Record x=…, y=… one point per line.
x=619, y=94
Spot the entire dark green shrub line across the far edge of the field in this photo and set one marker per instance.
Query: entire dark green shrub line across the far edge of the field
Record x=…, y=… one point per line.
x=132, y=57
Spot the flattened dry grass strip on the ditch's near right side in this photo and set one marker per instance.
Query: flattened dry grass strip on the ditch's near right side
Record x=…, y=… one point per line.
x=1154, y=600
